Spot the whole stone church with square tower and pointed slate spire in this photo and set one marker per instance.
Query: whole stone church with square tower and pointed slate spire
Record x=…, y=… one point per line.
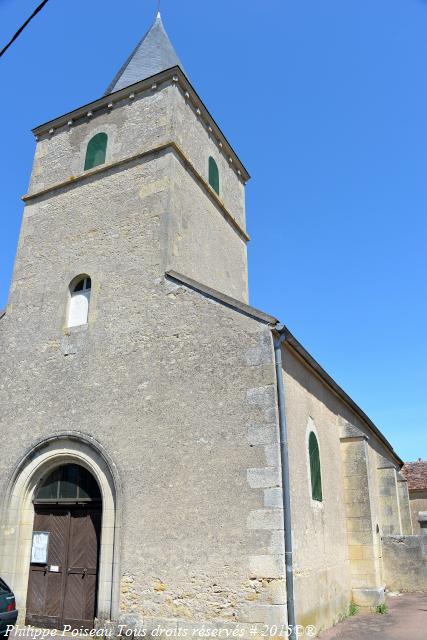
x=170, y=454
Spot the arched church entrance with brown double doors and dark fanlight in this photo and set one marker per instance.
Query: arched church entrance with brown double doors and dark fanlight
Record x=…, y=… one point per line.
x=63, y=575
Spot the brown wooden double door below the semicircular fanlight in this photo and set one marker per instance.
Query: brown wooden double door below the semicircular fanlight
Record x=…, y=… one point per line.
x=63, y=590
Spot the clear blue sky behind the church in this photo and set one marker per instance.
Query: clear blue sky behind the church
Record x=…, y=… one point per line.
x=325, y=103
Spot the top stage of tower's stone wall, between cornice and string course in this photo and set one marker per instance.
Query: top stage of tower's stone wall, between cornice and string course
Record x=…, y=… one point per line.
x=152, y=118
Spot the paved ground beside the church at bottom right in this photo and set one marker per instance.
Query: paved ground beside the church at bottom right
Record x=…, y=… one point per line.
x=406, y=620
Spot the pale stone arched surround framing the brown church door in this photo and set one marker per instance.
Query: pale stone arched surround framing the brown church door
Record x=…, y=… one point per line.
x=17, y=514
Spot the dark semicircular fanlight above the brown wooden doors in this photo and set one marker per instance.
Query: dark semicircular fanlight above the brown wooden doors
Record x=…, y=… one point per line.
x=71, y=483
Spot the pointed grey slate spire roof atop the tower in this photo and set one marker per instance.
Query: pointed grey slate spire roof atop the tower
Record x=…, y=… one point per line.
x=152, y=55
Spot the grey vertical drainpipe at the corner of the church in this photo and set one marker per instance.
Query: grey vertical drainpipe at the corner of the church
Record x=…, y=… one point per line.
x=286, y=497
